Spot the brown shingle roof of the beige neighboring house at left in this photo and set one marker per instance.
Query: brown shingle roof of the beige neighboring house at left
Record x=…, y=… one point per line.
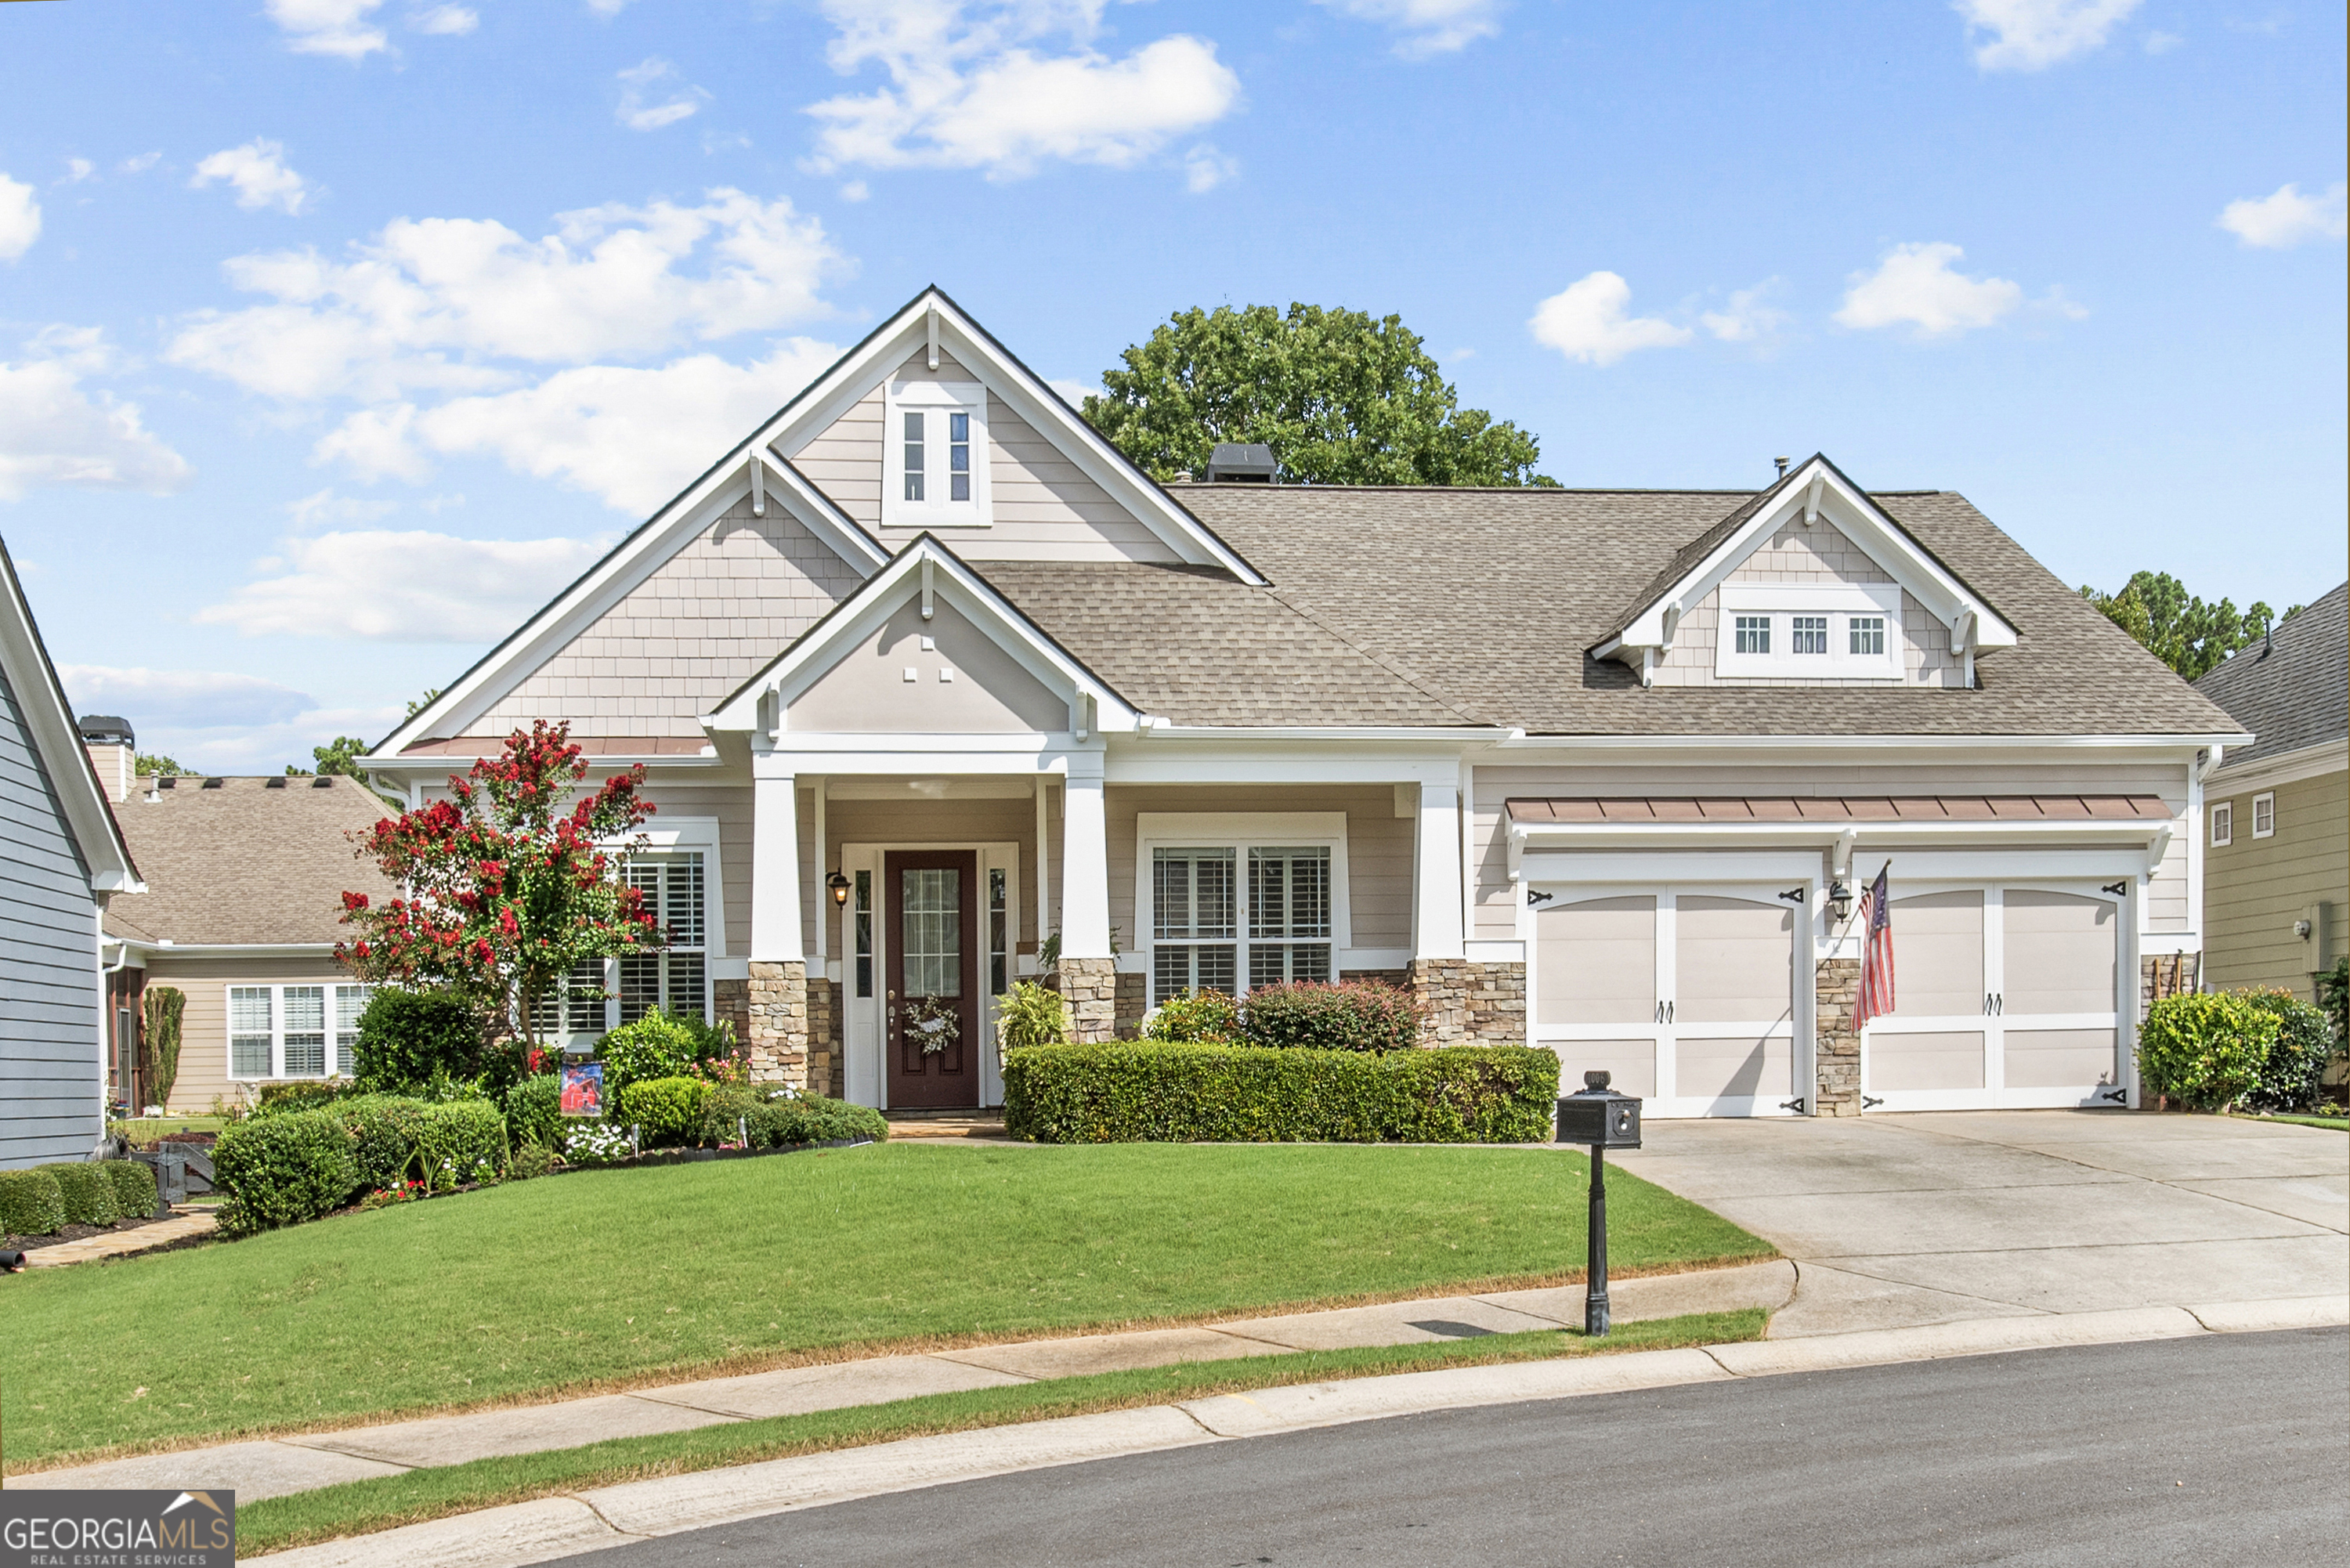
x=246, y=862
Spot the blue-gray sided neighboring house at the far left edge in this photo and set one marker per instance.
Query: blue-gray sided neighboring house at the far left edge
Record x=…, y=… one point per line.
x=60, y=866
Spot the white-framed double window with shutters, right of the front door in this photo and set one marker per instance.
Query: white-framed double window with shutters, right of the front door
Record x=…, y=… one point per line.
x=1233, y=918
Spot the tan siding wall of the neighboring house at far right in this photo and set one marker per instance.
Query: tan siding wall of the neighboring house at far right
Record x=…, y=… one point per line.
x=2255, y=890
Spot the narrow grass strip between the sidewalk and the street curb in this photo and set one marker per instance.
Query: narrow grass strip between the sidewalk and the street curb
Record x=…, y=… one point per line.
x=384, y=1503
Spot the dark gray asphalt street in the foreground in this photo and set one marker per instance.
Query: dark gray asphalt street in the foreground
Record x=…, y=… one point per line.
x=2222, y=1449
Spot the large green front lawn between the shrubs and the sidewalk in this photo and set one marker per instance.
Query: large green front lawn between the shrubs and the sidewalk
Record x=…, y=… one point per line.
x=629, y=1278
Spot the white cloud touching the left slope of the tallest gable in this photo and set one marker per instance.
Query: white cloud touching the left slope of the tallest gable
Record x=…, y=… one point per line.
x=629, y=436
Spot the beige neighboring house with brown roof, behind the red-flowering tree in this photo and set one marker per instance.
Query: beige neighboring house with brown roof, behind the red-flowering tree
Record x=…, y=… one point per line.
x=241, y=911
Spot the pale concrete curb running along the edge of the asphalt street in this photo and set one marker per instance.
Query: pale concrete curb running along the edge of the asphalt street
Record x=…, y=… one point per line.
x=643, y=1510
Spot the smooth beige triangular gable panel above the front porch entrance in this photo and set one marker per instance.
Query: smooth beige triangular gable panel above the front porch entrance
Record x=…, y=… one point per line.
x=965, y=685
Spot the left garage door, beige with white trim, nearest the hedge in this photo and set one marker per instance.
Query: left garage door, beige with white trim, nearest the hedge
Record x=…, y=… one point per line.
x=1686, y=996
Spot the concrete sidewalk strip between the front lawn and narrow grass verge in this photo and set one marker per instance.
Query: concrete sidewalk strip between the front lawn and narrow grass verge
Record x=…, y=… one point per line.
x=274, y=1468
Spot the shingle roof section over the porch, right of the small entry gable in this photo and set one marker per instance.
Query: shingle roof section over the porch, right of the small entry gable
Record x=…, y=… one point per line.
x=1202, y=648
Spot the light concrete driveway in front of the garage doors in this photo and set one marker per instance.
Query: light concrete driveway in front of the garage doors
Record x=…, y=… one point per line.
x=1931, y=1219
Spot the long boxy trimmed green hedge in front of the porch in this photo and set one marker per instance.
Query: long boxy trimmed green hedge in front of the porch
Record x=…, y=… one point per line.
x=1254, y=1094
